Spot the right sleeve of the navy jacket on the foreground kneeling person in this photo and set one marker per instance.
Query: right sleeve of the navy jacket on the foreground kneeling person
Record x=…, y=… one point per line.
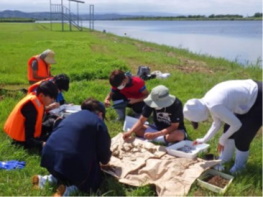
x=104, y=143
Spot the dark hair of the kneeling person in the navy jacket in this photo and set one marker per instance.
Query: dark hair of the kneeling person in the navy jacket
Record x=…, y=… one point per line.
x=93, y=105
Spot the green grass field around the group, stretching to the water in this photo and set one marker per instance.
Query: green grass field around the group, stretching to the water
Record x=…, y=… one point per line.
x=88, y=58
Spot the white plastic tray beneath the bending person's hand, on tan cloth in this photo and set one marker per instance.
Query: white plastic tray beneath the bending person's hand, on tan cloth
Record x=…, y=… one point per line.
x=186, y=149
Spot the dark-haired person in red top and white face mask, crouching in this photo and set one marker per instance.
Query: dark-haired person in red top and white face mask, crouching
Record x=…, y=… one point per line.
x=127, y=91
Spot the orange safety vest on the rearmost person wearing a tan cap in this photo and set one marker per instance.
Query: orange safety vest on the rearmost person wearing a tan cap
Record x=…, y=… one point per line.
x=43, y=68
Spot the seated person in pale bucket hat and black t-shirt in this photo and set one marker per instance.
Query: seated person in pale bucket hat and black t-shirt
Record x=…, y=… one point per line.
x=167, y=116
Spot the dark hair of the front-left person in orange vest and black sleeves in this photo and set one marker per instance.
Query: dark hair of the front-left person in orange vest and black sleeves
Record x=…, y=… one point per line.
x=47, y=88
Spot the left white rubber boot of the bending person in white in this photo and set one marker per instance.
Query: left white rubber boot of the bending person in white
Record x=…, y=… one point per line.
x=226, y=155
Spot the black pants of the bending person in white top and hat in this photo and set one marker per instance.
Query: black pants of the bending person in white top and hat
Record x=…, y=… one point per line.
x=251, y=123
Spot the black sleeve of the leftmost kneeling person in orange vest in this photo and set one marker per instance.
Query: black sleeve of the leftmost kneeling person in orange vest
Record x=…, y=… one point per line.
x=30, y=114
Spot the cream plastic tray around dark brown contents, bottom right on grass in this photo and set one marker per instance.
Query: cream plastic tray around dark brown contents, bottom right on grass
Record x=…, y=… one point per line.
x=211, y=172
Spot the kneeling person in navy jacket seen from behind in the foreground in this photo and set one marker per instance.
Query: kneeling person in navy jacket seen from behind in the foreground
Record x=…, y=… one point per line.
x=75, y=149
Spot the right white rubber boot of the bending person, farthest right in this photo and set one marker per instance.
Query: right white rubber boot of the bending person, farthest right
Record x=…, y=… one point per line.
x=240, y=161
